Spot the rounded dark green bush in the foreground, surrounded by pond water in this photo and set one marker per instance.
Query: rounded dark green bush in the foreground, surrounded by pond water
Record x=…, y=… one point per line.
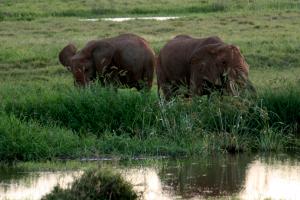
x=95, y=184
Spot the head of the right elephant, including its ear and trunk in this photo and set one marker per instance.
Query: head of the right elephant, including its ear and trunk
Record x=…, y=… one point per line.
x=220, y=65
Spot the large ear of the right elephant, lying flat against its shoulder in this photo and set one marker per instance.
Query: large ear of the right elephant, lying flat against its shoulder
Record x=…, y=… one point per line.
x=204, y=67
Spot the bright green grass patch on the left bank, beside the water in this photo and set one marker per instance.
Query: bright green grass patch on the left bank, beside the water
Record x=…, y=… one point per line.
x=30, y=141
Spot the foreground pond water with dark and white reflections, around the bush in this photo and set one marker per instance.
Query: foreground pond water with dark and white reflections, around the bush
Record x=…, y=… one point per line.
x=217, y=177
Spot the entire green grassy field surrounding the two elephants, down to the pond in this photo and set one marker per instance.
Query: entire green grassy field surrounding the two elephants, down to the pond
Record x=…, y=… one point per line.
x=44, y=117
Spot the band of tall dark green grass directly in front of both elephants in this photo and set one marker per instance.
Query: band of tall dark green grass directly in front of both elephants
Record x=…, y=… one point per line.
x=97, y=110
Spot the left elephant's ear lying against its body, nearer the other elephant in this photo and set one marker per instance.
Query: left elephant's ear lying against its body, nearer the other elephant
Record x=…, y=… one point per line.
x=102, y=54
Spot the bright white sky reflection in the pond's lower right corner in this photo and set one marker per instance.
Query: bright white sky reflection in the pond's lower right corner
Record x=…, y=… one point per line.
x=280, y=180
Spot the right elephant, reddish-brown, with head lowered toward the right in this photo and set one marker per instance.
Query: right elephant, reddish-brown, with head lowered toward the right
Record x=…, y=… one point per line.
x=202, y=65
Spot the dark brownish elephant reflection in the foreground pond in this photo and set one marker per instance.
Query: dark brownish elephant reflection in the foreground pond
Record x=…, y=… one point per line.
x=213, y=176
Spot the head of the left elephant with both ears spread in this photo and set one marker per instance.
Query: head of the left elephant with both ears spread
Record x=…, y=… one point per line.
x=88, y=62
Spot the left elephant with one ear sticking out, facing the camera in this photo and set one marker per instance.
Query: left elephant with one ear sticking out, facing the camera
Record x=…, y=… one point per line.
x=126, y=59
